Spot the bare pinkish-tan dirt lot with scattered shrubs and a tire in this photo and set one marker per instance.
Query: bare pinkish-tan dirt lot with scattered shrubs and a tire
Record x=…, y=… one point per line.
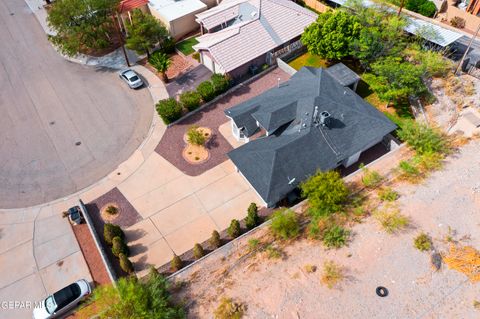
x=448, y=203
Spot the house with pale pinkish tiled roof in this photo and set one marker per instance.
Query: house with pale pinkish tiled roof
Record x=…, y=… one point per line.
x=243, y=35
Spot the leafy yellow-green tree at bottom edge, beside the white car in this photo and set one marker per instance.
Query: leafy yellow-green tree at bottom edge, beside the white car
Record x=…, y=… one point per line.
x=132, y=298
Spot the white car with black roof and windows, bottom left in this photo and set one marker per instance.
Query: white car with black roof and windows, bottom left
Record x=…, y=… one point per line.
x=62, y=301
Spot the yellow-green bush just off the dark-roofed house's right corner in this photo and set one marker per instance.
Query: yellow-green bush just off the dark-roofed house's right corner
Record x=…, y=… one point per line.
x=422, y=138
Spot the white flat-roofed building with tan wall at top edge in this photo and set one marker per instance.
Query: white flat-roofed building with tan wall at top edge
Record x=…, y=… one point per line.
x=179, y=15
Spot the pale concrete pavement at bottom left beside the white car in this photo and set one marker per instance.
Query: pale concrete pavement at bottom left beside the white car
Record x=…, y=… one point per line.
x=38, y=256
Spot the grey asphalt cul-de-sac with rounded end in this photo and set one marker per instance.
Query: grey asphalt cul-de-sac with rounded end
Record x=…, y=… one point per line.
x=64, y=126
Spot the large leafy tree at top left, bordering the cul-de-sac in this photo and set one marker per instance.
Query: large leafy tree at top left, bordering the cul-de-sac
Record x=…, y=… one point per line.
x=80, y=25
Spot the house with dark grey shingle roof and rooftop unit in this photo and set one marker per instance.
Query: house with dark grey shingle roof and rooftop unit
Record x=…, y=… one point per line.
x=312, y=122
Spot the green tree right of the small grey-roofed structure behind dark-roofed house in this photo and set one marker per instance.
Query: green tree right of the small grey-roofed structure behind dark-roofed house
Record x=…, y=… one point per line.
x=394, y=79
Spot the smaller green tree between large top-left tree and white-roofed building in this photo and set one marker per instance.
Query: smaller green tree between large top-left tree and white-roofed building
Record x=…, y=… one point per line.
x=144, y=31
